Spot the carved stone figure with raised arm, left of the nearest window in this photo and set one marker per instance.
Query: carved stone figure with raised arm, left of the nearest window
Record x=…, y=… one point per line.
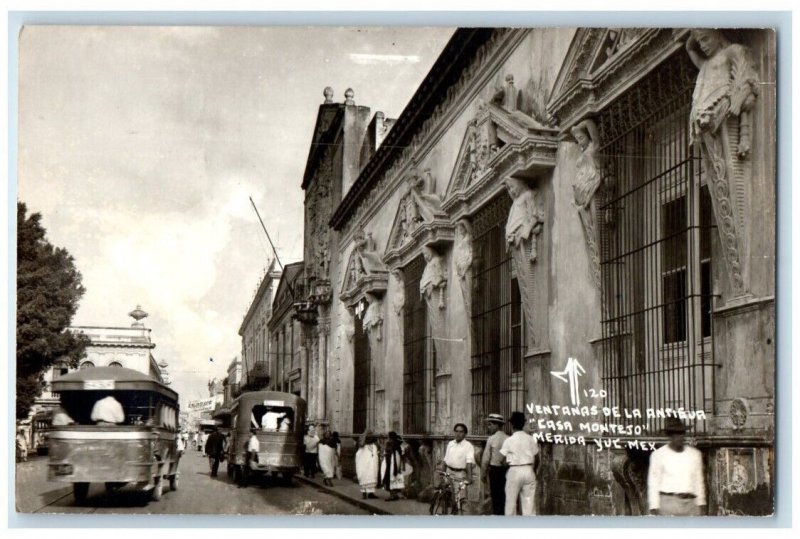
x=587, y=182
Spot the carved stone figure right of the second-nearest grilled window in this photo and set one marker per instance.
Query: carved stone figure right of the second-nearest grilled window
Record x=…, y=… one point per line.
x=524, y=224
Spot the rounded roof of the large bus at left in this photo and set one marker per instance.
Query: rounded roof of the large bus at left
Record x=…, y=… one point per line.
x=110, y=379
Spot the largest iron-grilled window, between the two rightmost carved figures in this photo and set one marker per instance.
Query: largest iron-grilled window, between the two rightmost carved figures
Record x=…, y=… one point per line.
x=656, y=232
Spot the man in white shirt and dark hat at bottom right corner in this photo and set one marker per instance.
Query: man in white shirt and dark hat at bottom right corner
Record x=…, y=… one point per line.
x=675, y=480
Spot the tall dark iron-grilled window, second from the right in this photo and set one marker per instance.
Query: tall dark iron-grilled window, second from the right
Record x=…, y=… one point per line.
x=497, y=366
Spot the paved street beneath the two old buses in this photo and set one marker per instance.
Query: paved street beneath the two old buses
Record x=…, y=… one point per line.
x=198, y=493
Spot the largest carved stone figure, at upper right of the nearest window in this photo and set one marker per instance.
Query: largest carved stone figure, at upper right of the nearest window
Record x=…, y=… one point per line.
x=721, y=124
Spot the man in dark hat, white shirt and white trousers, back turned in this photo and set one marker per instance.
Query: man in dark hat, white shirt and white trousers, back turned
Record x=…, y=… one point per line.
x=520, y=450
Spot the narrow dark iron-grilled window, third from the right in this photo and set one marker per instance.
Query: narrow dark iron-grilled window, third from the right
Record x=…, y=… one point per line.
x=419, y=356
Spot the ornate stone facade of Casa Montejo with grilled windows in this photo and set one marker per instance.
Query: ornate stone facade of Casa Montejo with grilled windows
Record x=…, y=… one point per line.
x=605, y=195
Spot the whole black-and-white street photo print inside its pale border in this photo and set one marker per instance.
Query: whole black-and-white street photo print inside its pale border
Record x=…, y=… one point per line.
x=396, y=270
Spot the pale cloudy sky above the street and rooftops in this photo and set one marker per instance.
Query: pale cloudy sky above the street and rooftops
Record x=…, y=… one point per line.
x=140, y=147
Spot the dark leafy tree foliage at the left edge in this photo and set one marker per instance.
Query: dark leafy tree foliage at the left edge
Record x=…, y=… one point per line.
x=48, y=291
